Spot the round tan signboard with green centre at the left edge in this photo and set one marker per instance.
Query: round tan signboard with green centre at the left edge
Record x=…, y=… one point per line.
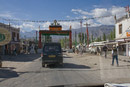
x=5, y=36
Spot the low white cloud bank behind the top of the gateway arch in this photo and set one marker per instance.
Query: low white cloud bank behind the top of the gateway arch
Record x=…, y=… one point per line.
x=45, y=26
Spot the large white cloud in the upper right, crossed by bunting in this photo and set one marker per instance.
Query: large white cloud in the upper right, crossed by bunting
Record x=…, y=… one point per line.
x=99, y=12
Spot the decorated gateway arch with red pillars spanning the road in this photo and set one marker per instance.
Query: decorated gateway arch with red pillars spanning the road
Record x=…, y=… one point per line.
x=55, y=29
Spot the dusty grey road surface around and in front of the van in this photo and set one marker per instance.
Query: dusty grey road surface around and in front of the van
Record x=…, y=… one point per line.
x=75, y=72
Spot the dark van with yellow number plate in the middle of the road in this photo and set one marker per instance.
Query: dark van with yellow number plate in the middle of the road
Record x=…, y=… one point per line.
x=52, y=54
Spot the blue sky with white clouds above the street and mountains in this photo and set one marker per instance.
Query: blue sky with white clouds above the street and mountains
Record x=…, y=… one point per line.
x=60, y=10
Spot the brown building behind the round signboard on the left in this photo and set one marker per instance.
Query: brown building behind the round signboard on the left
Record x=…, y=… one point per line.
x=14, y=43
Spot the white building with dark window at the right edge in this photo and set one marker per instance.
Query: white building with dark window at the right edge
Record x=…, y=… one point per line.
x=122, y=28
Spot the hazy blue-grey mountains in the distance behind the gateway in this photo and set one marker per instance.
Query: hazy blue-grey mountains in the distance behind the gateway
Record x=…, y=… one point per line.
x=96, y=31
